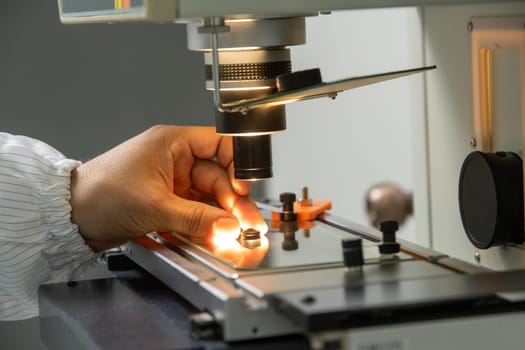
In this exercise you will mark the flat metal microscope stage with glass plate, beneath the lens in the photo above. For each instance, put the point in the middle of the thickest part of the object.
(273, 289)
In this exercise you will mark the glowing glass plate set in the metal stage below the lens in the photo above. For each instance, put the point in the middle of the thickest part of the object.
(307, 245)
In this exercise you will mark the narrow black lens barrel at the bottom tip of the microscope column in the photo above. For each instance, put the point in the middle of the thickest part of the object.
(252, 157)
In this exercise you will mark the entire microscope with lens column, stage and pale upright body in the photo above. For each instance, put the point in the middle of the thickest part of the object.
(329, 281)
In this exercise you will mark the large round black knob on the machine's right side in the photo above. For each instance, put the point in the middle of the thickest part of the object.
(491, 198)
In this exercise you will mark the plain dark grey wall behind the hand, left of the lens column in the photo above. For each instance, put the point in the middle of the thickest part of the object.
(85, 88)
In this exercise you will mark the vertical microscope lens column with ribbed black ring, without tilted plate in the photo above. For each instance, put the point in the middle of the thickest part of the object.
(249, 56)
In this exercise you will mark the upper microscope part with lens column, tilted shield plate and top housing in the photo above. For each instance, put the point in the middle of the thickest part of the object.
(247, 66)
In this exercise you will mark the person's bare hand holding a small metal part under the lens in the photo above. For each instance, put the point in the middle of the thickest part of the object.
(157, 181)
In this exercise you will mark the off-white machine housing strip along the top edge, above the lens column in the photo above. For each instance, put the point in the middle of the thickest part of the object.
(73, 11)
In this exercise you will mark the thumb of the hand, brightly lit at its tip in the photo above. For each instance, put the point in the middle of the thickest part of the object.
(198, 220)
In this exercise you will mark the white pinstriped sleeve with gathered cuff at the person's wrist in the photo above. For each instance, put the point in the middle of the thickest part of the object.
(38, 242)
